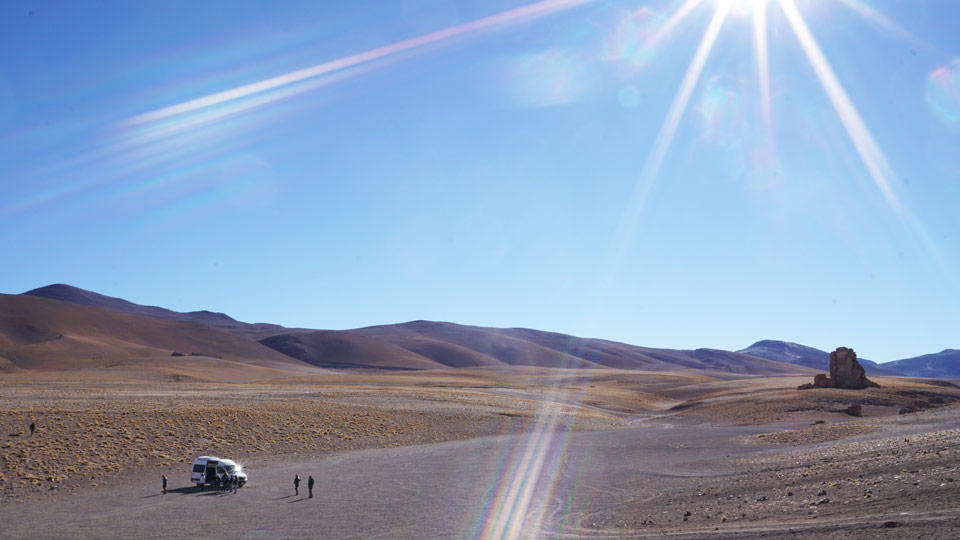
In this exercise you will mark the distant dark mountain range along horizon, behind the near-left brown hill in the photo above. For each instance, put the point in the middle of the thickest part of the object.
(431, 345)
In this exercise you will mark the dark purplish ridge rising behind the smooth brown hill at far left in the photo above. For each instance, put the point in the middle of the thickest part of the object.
(67, 293)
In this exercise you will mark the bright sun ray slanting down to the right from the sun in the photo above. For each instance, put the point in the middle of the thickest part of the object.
(873, 158)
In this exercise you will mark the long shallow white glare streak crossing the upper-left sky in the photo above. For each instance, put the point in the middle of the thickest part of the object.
(531, 11)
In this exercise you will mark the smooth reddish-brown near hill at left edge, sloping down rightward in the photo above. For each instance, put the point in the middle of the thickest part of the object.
(43, 334)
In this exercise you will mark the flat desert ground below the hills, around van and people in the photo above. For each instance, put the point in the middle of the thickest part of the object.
(480, 453)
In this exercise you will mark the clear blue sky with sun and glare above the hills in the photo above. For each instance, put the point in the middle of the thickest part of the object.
(495, 163)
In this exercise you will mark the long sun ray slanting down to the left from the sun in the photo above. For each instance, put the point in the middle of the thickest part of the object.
(661, 144)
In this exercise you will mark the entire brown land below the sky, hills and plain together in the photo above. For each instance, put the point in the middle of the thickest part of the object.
(436, 430)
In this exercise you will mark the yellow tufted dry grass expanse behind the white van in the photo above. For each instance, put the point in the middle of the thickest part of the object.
(88, 433)
